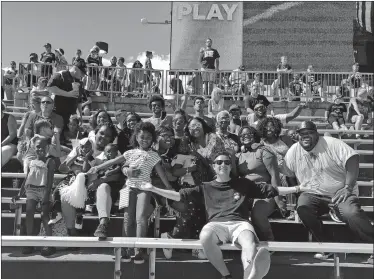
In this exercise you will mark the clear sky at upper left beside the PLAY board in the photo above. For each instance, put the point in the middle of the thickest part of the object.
(27, 26)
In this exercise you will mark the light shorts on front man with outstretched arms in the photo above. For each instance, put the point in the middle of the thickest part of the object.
(229, 231)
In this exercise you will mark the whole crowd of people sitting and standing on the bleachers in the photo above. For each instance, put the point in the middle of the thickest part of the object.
(215, 172)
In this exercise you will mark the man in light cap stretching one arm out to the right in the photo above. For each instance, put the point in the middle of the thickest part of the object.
(260, 113)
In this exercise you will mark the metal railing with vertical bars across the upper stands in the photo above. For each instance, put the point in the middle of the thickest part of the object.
(140, 82)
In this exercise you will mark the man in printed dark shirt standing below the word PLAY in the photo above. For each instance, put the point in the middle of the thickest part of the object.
(208, 57)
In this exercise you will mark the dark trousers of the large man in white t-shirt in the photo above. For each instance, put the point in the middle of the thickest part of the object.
(311, 206)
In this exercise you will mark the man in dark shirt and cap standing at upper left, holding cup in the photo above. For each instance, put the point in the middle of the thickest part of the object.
(67, 88)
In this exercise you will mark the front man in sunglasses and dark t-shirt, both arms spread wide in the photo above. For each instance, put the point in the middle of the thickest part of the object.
(227, 202)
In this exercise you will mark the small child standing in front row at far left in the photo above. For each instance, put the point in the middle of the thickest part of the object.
(37, 186)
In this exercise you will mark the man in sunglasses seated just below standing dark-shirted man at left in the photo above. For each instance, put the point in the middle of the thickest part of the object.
(46, 113)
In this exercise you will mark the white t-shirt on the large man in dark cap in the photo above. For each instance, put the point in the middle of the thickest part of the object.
(323, 167)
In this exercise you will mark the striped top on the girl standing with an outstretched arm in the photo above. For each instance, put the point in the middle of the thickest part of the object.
(143, 160)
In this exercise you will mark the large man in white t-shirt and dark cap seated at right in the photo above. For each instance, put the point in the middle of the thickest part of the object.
(331, 169)
